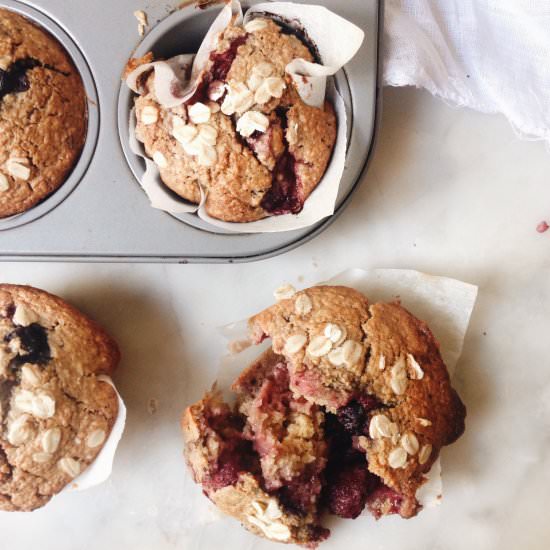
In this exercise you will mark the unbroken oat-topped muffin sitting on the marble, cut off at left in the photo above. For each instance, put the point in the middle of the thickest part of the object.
(55, 414)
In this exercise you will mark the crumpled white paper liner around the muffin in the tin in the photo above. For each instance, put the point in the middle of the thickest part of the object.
(325, 29)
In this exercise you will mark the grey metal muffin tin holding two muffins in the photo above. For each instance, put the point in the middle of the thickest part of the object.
(100, 213)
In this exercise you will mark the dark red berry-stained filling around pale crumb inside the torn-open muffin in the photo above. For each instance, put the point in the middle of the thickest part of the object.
(342, 484)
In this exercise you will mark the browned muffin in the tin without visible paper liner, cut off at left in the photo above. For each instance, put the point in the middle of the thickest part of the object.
(43, 114)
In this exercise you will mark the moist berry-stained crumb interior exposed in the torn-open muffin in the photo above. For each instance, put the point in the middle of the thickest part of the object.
(306, 458)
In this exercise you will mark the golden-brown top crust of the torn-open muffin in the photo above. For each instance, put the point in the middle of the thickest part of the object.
(387, 335)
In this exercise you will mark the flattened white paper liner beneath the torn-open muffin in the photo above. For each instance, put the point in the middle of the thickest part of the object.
(445, 304)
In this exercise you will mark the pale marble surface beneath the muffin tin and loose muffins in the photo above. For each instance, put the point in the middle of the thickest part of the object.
(451, 193)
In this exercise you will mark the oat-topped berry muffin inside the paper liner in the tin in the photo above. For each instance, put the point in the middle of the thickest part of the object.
(245, 137)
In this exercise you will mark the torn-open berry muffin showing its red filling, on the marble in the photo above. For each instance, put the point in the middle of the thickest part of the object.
(346, 411)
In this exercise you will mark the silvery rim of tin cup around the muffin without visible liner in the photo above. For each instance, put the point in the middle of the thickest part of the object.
(81, 165)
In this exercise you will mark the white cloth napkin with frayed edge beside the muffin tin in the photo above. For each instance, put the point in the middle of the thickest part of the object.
(490, 55)
